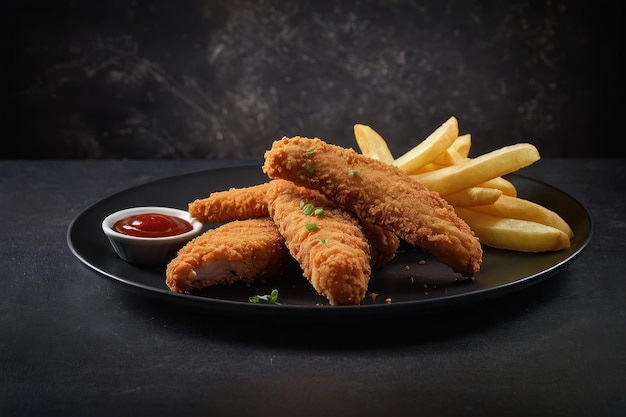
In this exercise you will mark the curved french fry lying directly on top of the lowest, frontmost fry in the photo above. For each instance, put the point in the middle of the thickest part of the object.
(518, 208)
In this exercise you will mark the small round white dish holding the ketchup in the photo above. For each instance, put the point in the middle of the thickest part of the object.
(149, 250)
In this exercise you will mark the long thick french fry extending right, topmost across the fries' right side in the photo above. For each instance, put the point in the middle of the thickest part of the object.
(480, 169)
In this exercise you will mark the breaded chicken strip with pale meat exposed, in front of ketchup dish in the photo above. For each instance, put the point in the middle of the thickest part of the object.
(242, 250)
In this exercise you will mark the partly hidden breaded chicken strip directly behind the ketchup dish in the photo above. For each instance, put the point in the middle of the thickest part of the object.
(232, 204)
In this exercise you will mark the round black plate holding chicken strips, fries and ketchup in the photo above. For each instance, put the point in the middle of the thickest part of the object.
(410, 285)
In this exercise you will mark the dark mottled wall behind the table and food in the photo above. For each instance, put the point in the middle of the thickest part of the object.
(222, 79)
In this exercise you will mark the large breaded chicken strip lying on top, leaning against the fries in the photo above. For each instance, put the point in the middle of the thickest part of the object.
(378, 193)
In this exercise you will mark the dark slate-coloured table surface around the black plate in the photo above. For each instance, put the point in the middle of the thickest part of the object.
(74, 344)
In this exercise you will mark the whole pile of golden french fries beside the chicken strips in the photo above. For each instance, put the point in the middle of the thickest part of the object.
(476, 188)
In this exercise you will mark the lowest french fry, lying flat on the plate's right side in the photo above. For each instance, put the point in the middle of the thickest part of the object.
(514, 234)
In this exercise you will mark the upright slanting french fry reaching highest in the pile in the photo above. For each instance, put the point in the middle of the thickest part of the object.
(427, 150)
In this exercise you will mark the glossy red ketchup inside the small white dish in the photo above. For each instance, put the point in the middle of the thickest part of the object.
(152, 225)
